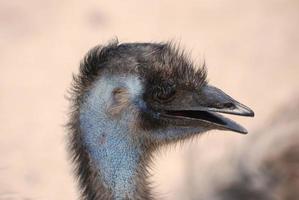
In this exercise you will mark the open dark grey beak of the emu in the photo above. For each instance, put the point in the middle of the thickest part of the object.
(203, 108)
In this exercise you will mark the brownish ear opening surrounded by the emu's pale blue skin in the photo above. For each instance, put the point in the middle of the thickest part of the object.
(119, 100)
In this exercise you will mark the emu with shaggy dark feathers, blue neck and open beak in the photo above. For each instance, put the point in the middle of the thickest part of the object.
(128, 100)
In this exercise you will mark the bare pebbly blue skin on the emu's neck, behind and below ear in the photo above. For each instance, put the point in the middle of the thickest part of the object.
(113, 154)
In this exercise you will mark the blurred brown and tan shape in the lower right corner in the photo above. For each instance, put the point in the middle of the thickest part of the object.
(266, 167)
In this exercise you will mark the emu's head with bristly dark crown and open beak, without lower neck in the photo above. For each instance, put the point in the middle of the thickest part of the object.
(152, 92)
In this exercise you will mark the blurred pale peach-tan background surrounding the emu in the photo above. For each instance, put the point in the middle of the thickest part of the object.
(251, 49)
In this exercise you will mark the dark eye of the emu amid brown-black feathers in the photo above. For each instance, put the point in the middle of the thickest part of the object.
(164, 93)
